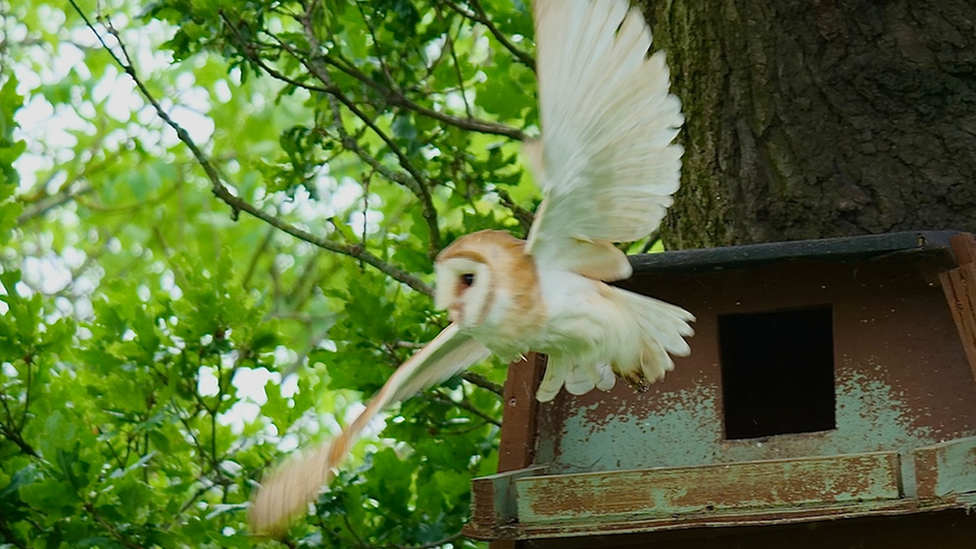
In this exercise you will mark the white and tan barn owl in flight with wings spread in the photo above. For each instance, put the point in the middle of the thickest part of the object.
(607, 168)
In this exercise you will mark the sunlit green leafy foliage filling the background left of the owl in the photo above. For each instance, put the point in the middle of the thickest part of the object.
(159, 349)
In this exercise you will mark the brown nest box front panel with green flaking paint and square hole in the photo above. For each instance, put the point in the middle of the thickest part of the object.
(789, 360)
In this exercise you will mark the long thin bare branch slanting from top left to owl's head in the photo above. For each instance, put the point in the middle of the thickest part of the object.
(237, 204)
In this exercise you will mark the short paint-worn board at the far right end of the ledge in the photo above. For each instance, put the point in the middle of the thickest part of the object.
(946, 470)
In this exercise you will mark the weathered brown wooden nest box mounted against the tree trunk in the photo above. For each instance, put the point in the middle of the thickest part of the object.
(829, 400)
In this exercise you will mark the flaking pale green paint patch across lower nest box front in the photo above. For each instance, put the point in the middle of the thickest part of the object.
(685, 428)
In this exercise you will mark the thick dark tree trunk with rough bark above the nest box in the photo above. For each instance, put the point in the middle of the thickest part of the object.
(820, 118)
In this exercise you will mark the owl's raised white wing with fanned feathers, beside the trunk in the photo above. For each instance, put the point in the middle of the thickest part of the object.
(605, 162)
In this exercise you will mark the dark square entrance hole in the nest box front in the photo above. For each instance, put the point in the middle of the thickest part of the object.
(777, 372)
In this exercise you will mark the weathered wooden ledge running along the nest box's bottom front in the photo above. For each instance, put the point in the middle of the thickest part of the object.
(530, 504)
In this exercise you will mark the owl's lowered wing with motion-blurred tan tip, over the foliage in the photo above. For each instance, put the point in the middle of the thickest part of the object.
(288, 491)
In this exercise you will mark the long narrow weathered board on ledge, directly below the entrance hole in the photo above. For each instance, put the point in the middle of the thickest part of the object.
(710, 488)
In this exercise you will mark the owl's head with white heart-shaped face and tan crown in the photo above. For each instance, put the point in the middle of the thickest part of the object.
(480, 275)
